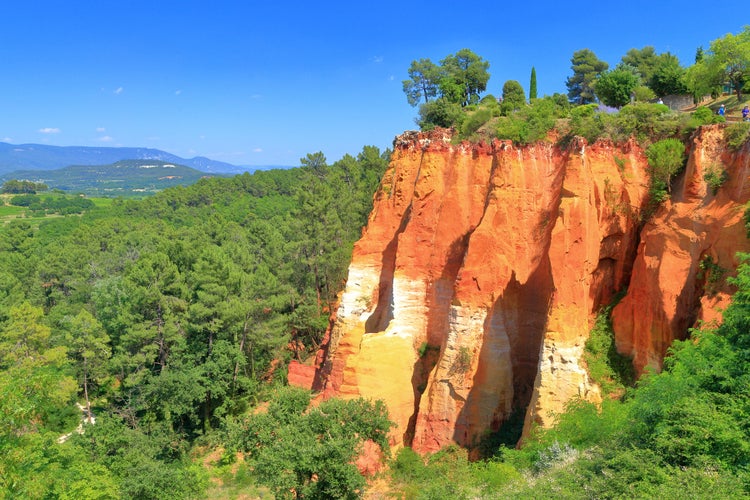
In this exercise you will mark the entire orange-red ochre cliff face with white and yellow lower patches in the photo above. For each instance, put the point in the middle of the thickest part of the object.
(473, 288)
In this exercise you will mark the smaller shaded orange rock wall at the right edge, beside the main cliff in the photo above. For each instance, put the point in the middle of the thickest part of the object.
(669, 291)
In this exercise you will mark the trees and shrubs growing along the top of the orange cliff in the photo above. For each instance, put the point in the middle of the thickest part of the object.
(639, 78)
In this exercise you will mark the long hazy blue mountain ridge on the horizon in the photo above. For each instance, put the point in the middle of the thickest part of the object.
(15, 157)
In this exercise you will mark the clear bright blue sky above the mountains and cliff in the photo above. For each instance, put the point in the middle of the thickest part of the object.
(265, 83)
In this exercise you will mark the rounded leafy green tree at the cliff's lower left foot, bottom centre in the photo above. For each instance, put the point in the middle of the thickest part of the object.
(299, 451)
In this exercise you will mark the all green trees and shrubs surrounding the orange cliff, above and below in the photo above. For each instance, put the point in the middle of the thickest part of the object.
(144, 343)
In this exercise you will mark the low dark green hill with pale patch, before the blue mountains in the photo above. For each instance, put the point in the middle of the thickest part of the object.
(122, 178)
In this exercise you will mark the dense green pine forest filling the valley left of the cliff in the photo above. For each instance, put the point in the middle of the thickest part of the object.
(165, 315)
